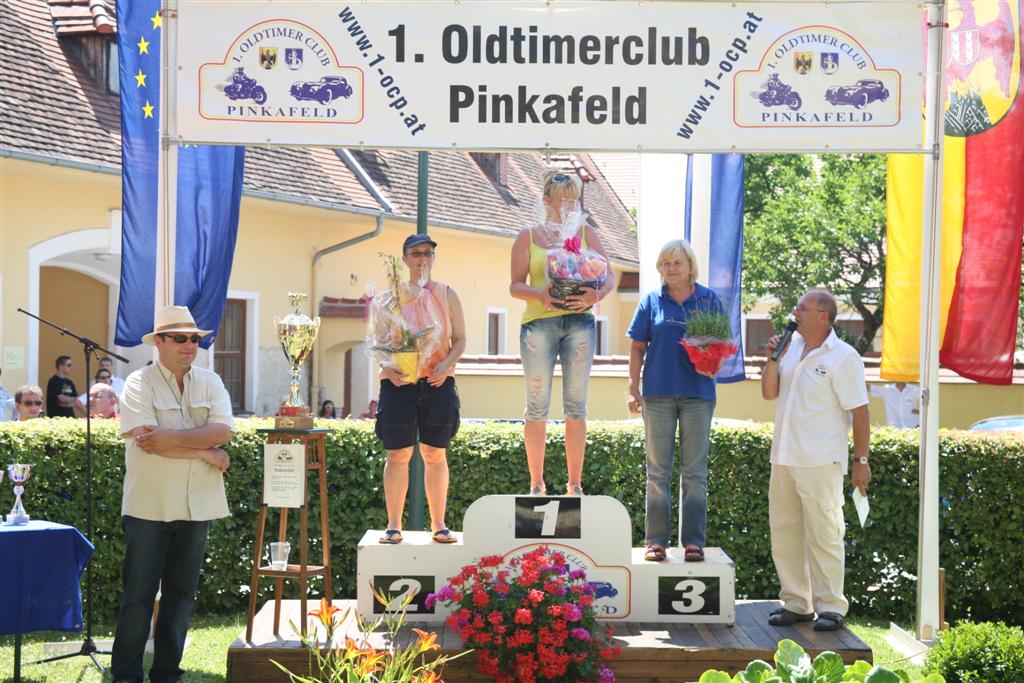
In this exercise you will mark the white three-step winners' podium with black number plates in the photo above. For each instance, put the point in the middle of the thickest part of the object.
(595, 535)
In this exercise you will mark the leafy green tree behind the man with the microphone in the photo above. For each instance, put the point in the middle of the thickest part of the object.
(817, 222)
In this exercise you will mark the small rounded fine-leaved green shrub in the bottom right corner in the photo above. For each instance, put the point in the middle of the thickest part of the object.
(983, 653)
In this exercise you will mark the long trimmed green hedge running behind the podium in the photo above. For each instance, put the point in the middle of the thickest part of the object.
(983, 513)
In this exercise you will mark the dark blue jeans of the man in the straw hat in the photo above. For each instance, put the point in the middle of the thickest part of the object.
(168, 557)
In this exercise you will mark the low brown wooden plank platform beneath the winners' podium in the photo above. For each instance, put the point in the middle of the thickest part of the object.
(653, 653)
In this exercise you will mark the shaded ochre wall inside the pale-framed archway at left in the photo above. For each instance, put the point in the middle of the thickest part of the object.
(89, 318)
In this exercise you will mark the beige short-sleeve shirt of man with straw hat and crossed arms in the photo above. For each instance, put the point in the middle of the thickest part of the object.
(161, 489)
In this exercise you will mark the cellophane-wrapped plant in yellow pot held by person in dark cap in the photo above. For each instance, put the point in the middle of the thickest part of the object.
(405, 325)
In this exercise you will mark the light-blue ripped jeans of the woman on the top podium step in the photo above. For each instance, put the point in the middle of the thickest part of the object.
(573, 338)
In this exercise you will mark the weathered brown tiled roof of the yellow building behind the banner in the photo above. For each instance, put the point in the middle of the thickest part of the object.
(52, 107)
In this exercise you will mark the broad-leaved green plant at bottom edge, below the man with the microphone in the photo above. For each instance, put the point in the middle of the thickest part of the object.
(793, 665)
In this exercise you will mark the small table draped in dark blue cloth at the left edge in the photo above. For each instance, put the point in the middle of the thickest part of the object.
(41, 566)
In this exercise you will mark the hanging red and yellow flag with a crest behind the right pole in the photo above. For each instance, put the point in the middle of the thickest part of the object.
(983, 206)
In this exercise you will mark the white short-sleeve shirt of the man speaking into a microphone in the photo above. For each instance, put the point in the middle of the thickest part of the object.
(817, 395)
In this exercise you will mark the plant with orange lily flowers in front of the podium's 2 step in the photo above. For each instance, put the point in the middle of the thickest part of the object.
(349, 660)
